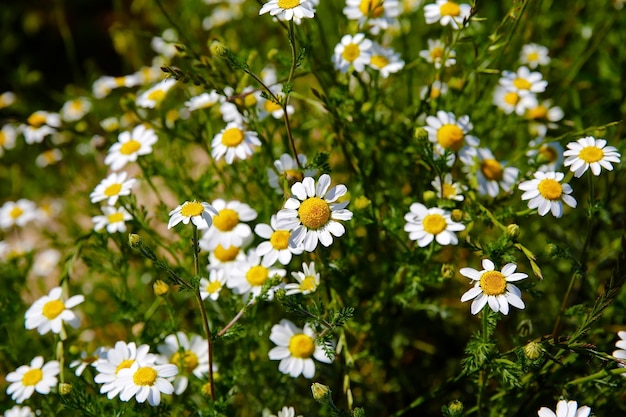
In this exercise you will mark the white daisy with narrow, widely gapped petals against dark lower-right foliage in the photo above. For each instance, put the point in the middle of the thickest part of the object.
(494, 287)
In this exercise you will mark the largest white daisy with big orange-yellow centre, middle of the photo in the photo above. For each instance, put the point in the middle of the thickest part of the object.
(313, 212)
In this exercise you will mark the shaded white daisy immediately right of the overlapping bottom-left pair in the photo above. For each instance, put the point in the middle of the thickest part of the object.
(191, 356)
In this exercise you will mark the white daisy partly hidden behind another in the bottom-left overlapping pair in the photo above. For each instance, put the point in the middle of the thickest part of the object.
(122, 356)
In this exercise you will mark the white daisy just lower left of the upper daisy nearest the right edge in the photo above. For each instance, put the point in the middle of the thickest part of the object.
(546, 193)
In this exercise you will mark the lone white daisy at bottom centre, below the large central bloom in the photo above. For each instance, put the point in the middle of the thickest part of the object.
(296, 349)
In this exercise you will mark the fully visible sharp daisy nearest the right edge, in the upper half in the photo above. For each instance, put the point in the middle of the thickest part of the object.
(590, 152)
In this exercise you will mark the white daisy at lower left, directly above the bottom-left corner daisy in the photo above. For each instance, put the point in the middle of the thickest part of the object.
(50, 311)
